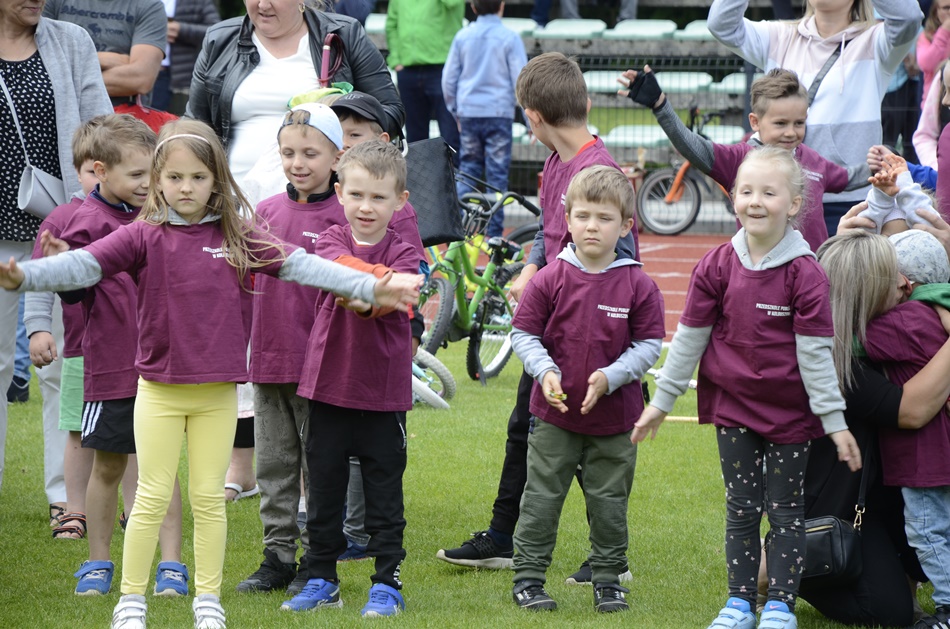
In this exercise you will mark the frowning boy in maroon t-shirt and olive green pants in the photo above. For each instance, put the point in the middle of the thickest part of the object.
(588, 327)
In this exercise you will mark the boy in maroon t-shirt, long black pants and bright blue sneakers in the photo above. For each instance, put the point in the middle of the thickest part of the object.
(359, 406)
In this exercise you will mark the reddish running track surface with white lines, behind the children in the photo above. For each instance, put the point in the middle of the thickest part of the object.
(669, 260)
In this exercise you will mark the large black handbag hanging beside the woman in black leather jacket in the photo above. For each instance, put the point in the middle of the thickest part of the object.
(430, 179)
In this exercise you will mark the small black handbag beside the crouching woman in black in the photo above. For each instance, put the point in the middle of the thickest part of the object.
(833, 545)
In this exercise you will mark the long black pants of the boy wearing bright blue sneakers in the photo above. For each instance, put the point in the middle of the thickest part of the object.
(378, 440)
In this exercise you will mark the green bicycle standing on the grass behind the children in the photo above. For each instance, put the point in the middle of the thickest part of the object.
(485, 316)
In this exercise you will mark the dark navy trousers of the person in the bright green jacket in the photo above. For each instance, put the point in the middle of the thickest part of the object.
(420, 89)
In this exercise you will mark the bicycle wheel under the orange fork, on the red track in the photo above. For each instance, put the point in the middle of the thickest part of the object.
(664, 218)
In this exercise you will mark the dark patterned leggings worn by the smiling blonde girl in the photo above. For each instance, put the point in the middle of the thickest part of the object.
(779, 487)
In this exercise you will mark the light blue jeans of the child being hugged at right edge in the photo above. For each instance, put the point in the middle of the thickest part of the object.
(927, 523)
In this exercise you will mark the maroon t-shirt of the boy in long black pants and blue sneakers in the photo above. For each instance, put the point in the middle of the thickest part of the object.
(353, 362)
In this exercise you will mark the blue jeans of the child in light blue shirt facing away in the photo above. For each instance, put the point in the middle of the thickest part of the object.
(486, 154)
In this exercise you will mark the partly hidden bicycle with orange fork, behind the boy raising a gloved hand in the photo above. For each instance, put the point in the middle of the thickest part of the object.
(668, 200)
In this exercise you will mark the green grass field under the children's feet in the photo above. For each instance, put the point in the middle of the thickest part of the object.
(676, 531)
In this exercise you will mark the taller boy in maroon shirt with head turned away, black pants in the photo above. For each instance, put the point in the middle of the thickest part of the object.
(552, 92)
